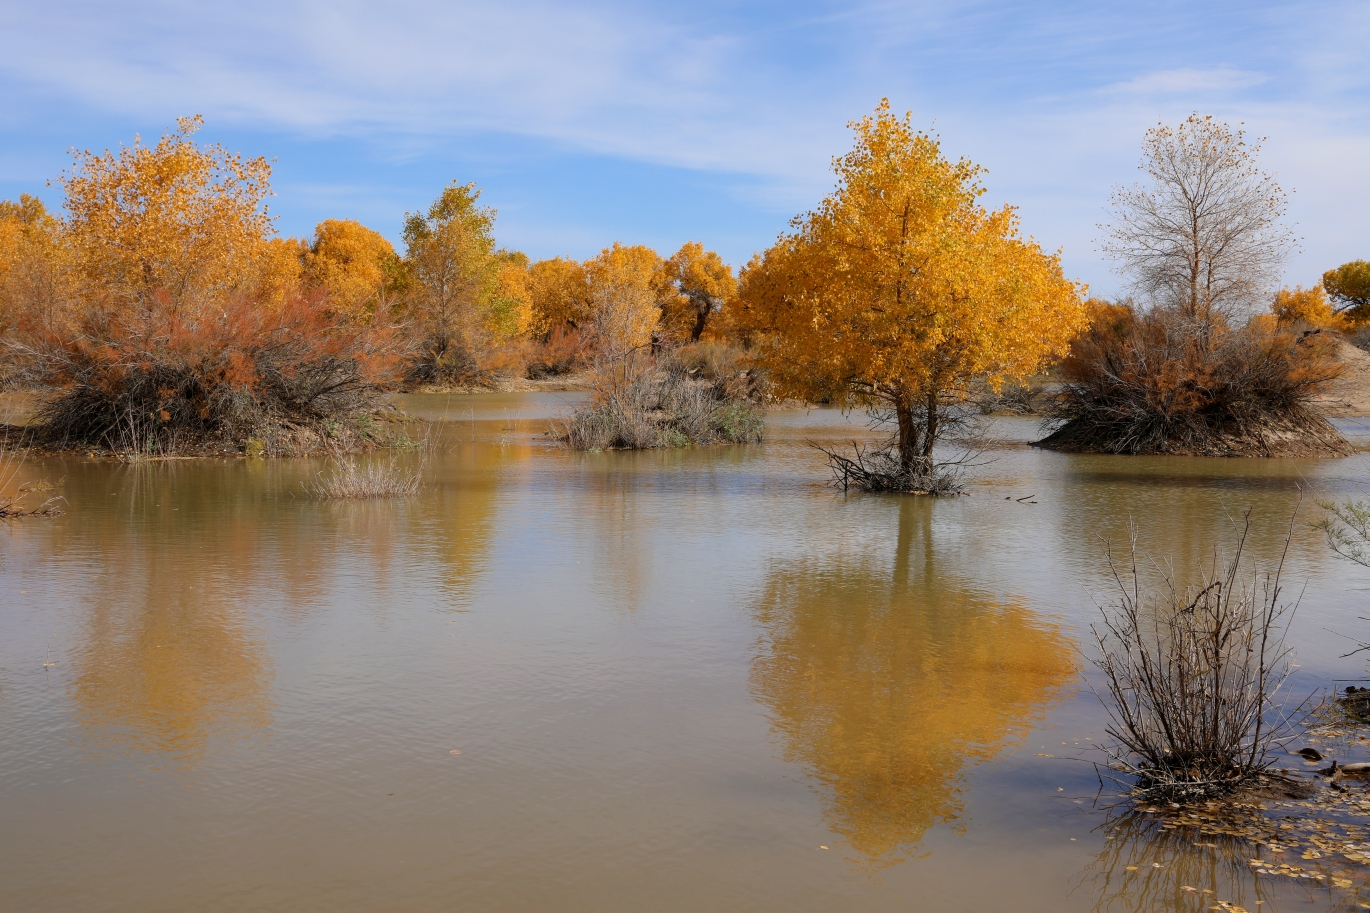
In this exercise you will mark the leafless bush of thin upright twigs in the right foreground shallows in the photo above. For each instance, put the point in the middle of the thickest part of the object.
(1191, 677)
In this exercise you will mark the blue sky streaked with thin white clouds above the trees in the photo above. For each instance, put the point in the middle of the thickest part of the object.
(662, 123)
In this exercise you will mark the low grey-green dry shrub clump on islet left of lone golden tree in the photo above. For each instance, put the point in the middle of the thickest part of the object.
(665, 406)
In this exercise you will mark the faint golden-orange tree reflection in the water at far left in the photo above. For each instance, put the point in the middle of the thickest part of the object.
(168, 660)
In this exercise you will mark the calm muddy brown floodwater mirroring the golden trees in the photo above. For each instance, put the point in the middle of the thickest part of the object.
(682, 681)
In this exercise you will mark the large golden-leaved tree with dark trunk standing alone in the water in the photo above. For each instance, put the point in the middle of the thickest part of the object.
(901, 290)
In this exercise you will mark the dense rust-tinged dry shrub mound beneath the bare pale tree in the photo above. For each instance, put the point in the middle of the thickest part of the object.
(1154, 383)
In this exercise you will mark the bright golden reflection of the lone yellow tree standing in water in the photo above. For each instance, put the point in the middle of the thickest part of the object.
(887, 681)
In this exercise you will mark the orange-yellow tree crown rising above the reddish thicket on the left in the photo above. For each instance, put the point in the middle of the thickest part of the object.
(177, 220)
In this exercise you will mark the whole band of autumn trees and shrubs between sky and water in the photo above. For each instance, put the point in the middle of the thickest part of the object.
(161, 309)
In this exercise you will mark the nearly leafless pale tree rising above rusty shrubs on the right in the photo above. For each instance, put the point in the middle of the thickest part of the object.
(1206, 235)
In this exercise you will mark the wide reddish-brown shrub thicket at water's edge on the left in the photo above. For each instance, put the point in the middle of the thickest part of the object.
(168, 379)
